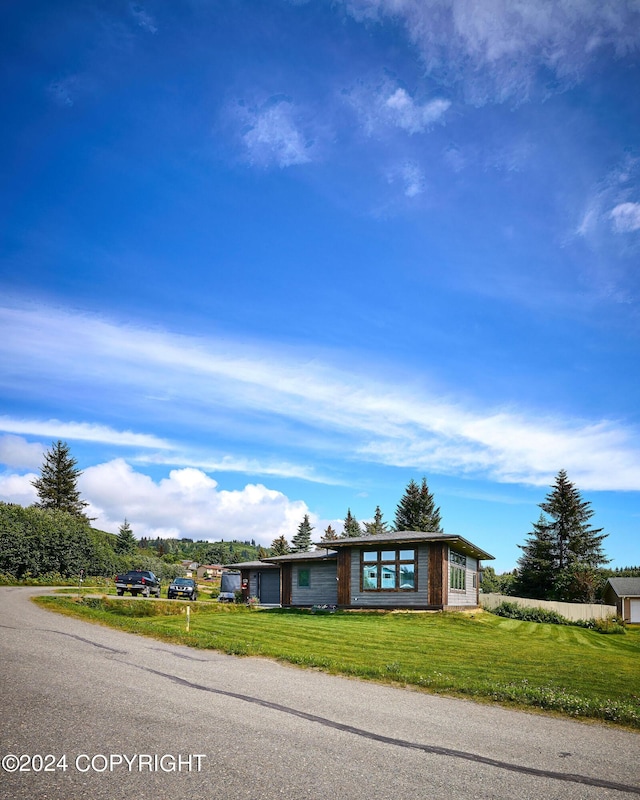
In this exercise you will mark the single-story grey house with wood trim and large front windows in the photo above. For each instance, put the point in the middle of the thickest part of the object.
(404, 569)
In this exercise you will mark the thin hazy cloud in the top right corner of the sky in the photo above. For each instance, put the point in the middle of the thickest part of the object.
(496, 50)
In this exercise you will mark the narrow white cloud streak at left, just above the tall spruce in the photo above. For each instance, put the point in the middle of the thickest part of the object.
(80, 431)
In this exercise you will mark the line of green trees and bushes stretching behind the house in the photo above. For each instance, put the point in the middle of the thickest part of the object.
(563, 556)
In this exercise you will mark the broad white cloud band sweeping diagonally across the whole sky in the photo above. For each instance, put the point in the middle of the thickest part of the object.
(325, 410)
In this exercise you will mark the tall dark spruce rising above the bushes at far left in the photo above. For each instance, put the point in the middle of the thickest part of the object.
(57, 484)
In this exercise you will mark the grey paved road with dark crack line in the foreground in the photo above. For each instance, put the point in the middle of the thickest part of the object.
(265, 730)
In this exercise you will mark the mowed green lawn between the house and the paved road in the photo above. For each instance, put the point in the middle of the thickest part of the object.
(564, 669)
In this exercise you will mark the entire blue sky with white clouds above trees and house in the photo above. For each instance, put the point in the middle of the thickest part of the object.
(266, 259)
